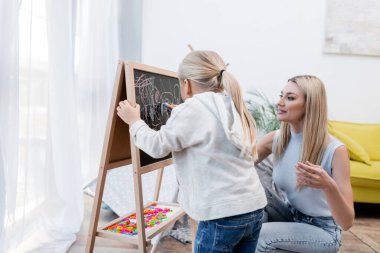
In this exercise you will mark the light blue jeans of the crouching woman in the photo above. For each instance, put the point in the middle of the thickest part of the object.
(289, 230)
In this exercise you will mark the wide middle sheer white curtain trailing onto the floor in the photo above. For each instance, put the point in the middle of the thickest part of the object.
(49, 185)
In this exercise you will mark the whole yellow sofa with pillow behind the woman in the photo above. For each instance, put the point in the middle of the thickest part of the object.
(363, 144)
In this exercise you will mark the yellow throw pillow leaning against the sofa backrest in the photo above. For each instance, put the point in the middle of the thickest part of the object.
(357, 152)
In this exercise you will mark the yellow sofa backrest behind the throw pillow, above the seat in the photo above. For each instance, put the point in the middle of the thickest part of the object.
(367, 135)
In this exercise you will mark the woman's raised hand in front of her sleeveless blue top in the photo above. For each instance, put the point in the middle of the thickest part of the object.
(312, 175)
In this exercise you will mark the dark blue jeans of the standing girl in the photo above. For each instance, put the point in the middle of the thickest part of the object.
(231, 234)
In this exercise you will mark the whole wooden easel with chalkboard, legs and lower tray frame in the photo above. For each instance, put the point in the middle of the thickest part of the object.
(149, 87)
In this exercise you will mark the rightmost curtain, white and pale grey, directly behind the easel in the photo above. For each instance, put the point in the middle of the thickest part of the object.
(107, 31)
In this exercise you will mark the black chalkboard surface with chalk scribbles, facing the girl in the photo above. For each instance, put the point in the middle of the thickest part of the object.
(152, 87)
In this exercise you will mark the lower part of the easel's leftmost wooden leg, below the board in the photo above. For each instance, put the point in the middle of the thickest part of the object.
(96, 210)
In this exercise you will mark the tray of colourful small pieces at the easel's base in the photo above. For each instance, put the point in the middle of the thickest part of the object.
(157, 216)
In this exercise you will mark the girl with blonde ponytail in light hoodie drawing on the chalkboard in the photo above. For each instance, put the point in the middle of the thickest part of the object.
(212, 138)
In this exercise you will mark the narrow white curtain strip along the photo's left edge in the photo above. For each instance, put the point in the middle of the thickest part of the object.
(8, 115)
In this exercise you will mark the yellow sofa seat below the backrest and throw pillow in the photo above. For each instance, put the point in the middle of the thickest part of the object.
(365, 175)
